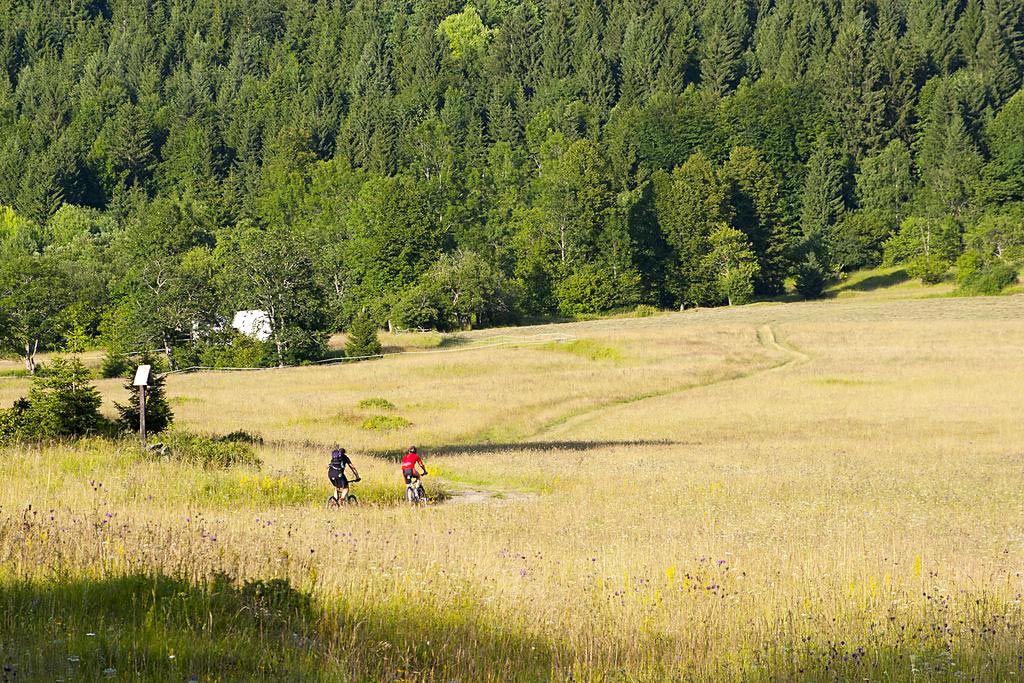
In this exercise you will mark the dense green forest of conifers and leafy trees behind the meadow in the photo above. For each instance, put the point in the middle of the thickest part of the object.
(165, 163)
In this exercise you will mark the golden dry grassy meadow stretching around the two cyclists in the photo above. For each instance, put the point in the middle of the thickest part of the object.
(823, 491)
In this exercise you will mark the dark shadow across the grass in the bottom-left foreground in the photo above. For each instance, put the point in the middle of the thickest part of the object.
(154, 627)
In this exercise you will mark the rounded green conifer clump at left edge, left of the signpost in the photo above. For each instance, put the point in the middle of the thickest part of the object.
(62, 404)
